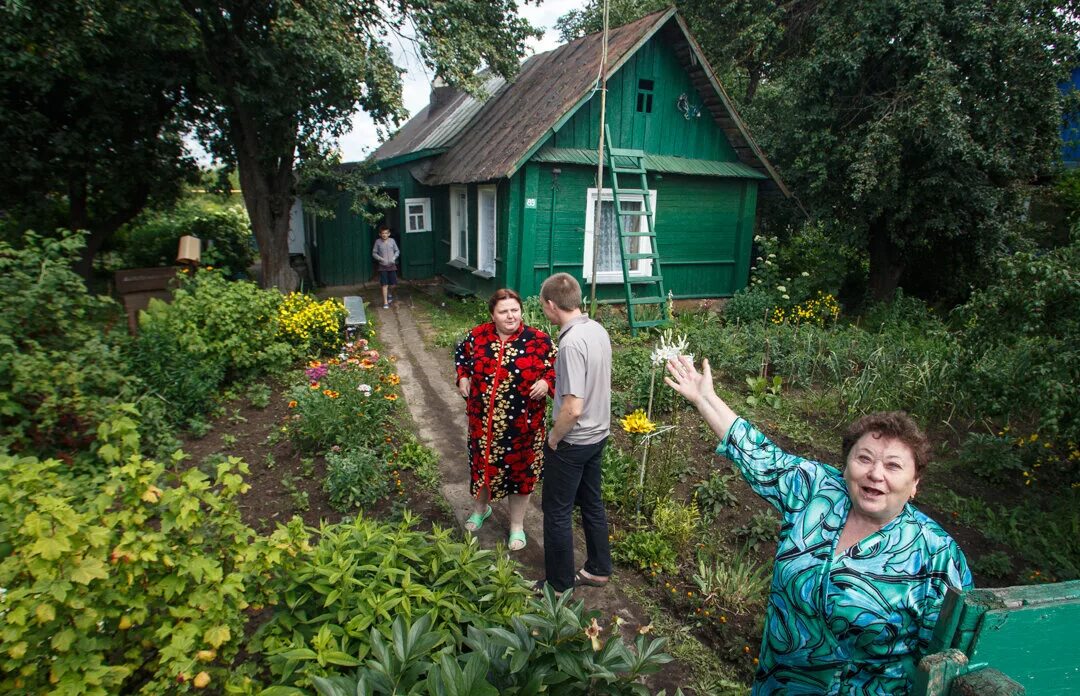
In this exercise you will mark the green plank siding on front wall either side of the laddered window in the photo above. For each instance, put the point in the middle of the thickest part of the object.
(704, 233)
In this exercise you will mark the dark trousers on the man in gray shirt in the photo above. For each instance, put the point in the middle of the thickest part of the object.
(572, 476)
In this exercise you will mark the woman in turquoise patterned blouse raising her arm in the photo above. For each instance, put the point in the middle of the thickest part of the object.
(860, 574)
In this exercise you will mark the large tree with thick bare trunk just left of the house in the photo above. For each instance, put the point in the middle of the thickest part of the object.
(279, 83)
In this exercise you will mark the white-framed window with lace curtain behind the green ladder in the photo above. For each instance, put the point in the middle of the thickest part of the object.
(610, 261)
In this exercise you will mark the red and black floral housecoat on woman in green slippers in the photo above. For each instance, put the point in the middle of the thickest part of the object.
(506, 427)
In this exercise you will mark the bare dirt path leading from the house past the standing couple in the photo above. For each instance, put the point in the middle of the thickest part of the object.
(439, 413)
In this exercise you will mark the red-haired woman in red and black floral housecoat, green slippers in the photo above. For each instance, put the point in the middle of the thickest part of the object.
(506, 370)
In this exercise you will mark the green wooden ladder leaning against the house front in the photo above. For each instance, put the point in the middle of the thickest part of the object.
(641, 291)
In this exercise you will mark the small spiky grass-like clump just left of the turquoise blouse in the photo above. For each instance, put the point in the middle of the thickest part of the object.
(735, 585)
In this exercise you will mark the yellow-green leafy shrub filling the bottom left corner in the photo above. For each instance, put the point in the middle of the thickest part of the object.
(128, 584)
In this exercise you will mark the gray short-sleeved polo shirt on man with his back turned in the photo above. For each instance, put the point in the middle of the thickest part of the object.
(584, 370)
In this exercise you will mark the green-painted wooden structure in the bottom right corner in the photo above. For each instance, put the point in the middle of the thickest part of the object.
(1006, 641)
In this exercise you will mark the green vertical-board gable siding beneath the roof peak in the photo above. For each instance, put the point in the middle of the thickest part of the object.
(666, 130)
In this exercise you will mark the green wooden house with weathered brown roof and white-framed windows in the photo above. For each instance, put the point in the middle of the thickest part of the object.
(501, 192)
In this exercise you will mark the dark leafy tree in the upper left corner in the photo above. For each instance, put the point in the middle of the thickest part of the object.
(89, 95)
